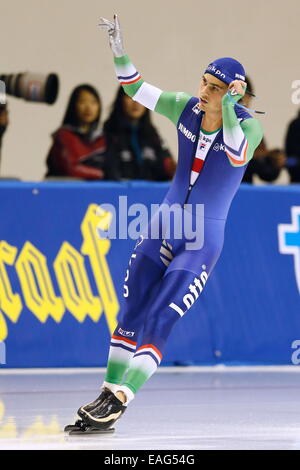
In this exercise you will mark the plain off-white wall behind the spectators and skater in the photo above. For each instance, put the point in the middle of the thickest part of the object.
(170, 42)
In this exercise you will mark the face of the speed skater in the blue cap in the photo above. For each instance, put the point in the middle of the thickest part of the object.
(211, 92)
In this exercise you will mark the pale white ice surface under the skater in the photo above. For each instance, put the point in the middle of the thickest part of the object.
(182, 409)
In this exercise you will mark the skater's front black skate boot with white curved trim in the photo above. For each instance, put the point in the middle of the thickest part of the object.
(104, 415)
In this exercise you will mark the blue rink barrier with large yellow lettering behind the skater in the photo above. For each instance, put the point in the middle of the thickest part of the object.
(61, 286)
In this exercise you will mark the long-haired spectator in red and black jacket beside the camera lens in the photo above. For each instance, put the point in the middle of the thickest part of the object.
(79, 147)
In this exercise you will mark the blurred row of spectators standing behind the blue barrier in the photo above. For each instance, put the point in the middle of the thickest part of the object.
(128, 146)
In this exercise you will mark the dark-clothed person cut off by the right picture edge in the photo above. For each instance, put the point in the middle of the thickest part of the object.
(292, 148)
